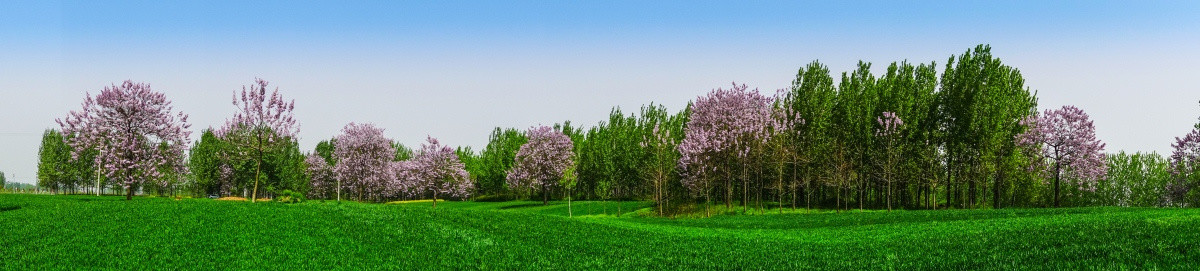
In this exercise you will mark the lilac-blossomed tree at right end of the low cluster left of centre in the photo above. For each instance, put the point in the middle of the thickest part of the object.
(440, 172)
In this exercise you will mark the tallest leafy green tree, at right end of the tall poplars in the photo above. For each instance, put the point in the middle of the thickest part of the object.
(981, 105)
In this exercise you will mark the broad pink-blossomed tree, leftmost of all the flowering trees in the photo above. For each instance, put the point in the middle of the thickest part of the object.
(135, 131)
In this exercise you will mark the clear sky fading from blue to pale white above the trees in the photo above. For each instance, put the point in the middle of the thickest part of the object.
(455, 70)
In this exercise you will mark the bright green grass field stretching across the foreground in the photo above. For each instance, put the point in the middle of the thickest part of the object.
(57, 232)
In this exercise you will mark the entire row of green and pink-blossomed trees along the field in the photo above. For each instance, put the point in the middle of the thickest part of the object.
(911, 138)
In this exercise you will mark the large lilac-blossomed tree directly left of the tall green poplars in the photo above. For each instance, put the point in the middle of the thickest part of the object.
(723, 129)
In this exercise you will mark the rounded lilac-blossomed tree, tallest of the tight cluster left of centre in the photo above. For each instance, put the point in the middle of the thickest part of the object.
(364, 161)
